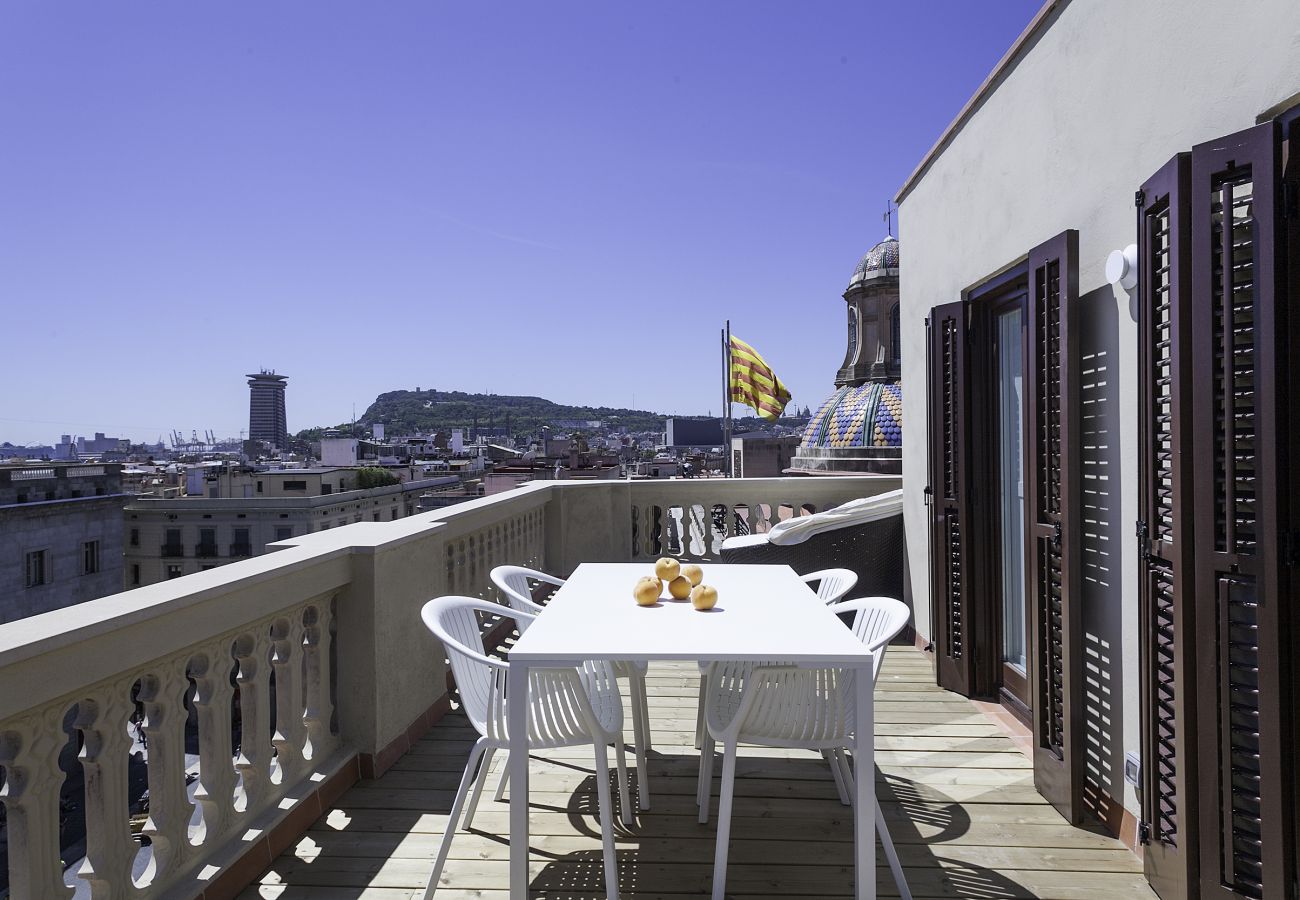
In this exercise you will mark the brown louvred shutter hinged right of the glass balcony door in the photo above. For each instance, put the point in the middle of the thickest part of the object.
(1052, 534)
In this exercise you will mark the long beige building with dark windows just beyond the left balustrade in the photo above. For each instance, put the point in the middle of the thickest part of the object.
(242, 512)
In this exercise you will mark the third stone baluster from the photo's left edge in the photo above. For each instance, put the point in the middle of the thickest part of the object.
(168, 828)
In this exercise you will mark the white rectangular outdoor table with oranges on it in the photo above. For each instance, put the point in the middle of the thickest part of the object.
(762, 613)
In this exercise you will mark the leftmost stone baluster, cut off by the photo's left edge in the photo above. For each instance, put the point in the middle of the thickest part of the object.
(29, 754)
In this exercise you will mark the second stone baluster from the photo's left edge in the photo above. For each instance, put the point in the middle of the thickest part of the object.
(105, 758)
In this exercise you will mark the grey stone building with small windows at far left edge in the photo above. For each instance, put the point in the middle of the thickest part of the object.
(60, 536)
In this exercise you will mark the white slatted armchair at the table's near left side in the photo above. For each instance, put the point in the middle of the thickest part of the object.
(566, 708)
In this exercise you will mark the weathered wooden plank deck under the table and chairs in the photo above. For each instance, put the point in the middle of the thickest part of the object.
(959, 797)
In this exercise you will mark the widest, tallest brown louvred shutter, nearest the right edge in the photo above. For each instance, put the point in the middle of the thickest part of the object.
(1245, 683)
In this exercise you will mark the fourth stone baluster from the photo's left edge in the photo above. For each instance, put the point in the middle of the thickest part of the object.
(213, 700)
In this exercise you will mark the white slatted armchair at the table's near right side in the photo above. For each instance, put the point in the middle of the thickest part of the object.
(781, 706)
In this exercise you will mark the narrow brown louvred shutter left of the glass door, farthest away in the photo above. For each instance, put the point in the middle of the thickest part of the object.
(950, 496)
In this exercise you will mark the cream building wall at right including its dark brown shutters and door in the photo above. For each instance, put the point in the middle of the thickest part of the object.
(1099, 330)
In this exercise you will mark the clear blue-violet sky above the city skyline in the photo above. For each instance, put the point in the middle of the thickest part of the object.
(564, 200)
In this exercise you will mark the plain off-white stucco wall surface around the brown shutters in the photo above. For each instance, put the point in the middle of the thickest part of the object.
(1098, 103)
